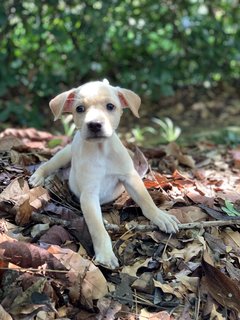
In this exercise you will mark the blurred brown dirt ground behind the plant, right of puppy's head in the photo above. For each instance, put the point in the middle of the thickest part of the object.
(198, 112)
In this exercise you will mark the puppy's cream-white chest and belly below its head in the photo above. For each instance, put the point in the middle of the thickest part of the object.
(92, 171)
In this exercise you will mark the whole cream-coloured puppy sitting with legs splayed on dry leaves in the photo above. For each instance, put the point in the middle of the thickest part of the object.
(101, 166)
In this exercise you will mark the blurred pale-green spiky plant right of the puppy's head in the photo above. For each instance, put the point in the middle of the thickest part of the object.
(170, 132)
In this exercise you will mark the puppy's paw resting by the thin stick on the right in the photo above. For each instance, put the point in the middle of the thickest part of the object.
(166, 222)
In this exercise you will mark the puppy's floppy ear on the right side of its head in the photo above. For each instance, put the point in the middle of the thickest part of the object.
(130, 100)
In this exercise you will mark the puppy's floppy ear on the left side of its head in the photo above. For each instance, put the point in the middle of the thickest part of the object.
(62, 103)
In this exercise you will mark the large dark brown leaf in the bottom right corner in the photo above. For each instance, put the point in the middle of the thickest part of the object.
(224, 290)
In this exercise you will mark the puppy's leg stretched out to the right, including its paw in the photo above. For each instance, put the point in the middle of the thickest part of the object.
(136, 189)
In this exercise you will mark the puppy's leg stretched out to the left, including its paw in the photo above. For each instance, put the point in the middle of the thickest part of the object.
(60, 159)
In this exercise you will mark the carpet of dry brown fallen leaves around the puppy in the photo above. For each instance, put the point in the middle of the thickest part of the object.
(47, 267)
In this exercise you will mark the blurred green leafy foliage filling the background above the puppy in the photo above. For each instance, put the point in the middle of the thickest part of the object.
(149, 46)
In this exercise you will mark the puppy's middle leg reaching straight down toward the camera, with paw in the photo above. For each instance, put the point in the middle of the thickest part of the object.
(101, 241)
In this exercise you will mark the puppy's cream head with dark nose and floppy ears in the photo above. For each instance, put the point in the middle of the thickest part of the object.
(96, 107)
